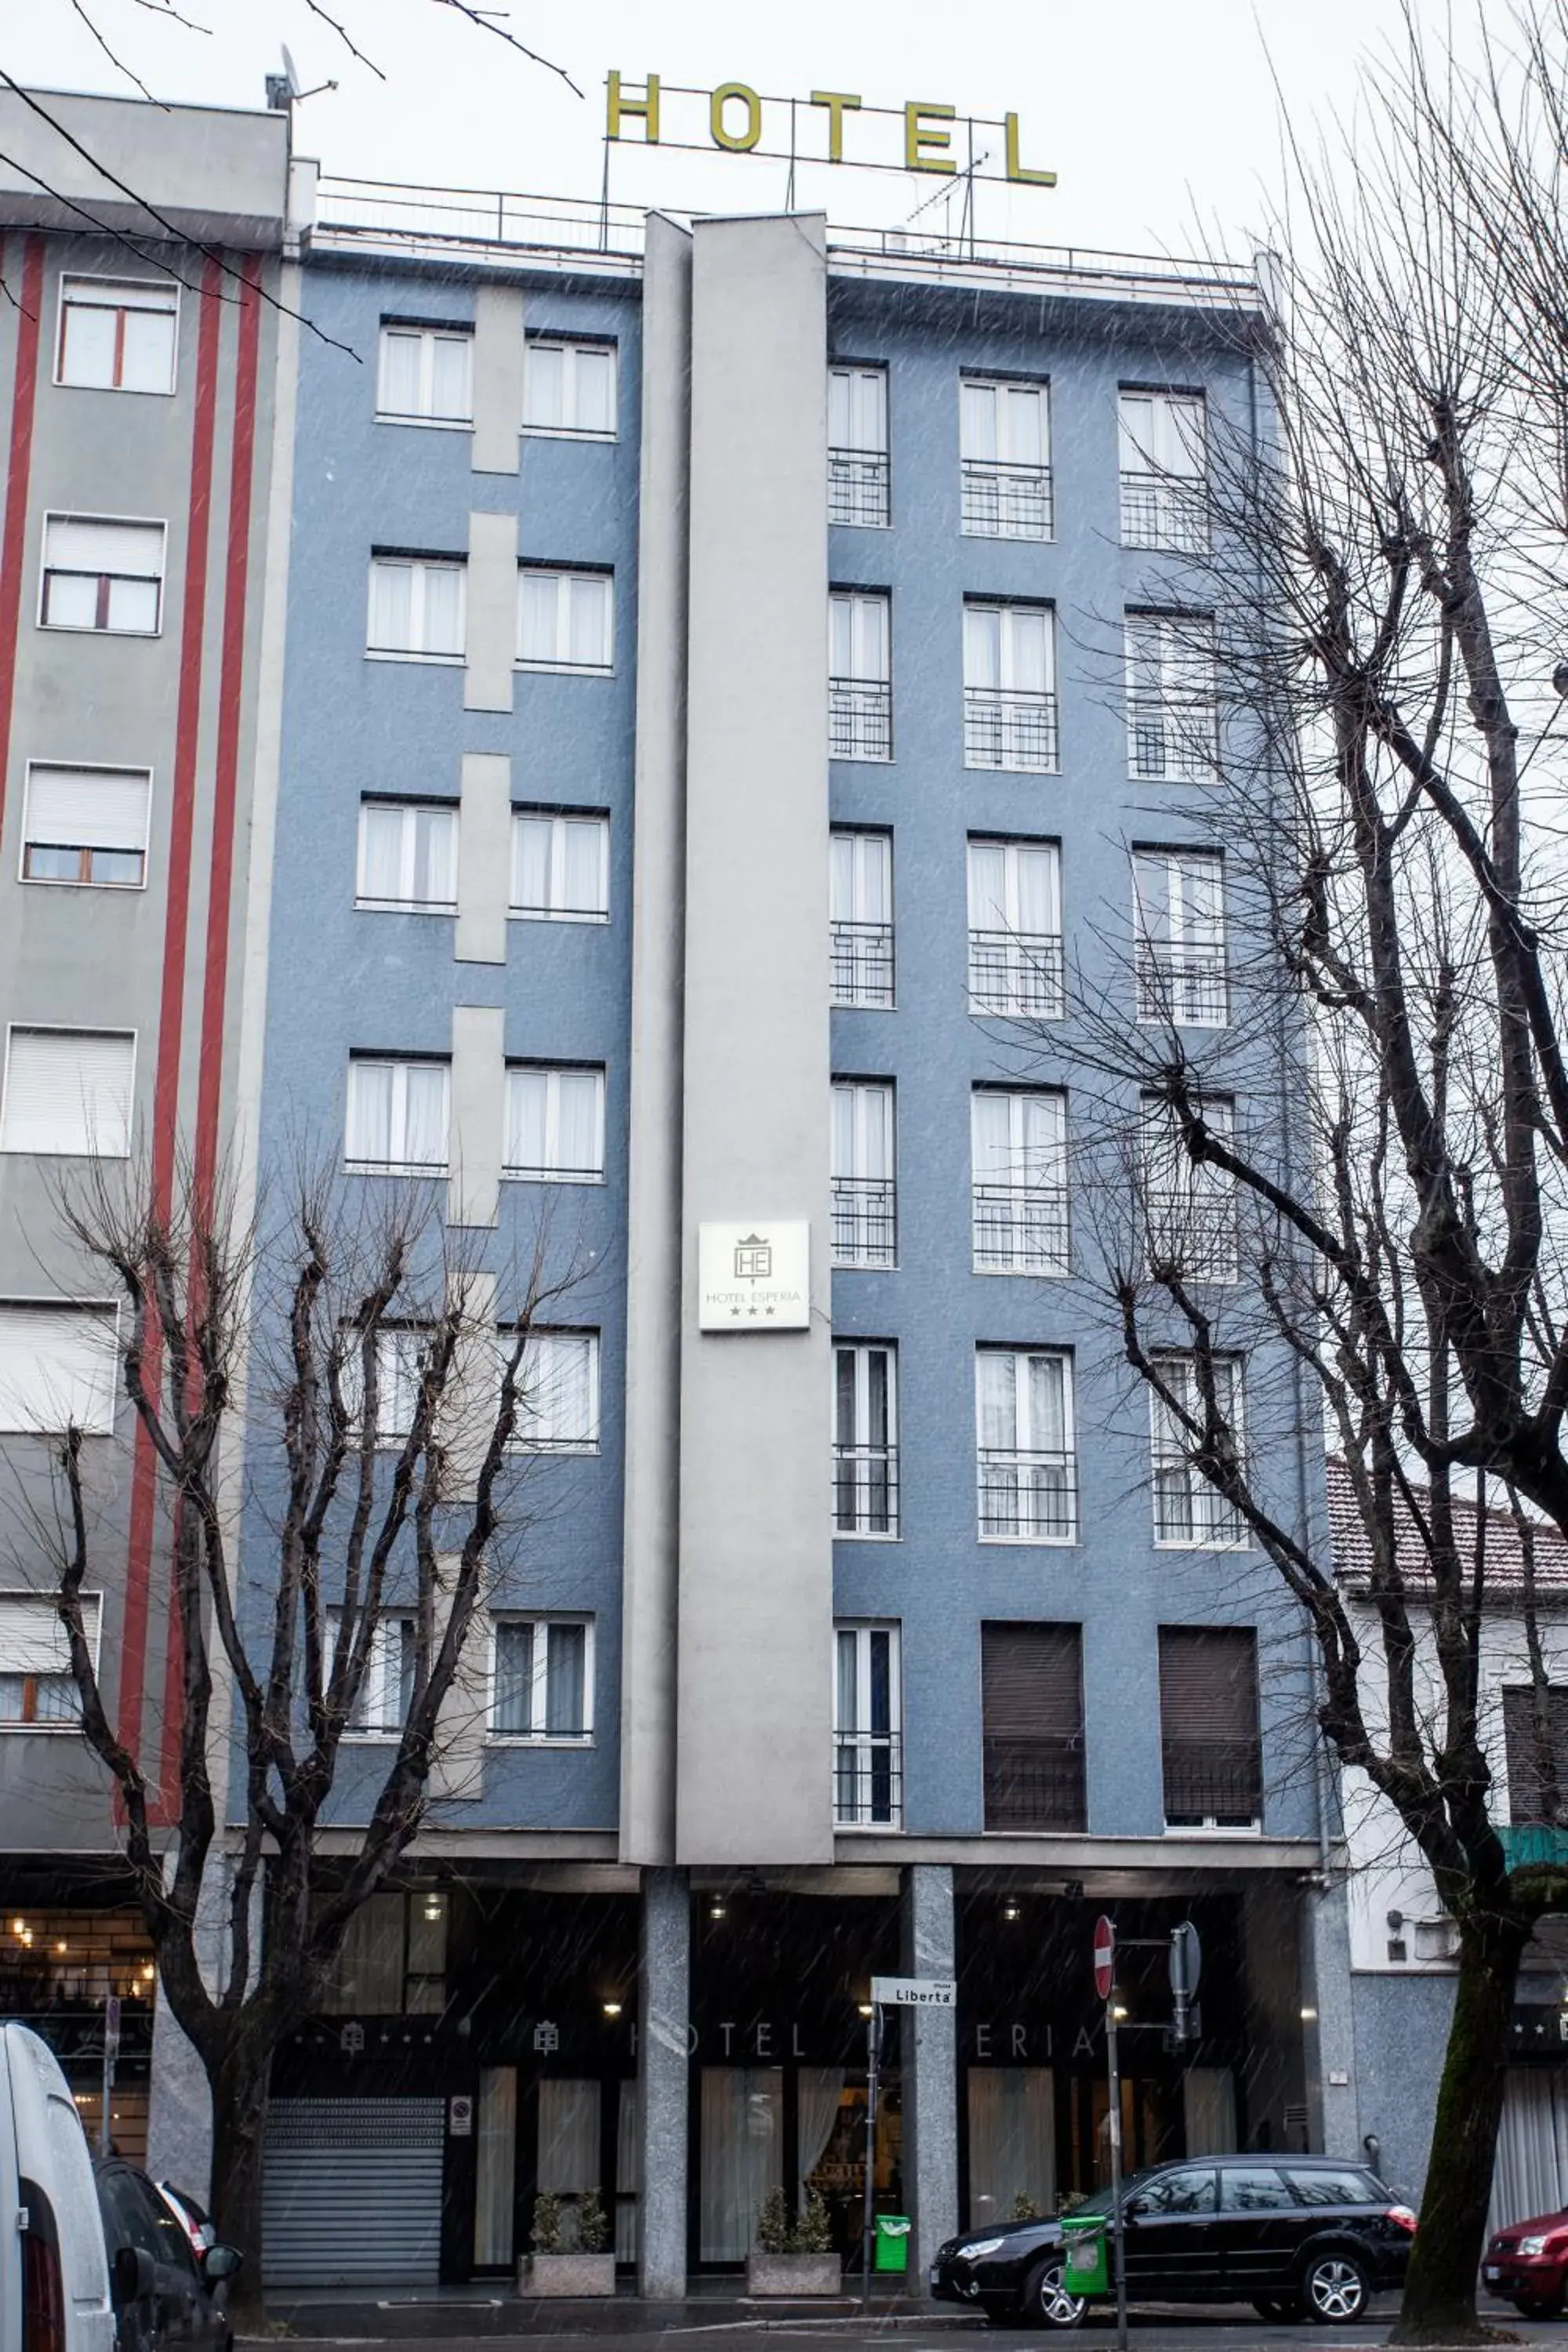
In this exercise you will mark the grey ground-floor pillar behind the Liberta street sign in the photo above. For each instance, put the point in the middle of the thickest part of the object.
(930, 2043)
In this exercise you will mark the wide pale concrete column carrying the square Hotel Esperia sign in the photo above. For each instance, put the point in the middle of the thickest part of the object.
(756, 1544)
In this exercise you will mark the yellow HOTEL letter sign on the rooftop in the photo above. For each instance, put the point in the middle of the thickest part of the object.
(829, 126)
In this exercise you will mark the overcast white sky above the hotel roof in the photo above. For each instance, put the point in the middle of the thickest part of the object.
(1160, 121)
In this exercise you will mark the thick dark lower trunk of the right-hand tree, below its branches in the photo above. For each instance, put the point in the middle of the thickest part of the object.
(1440, 2299)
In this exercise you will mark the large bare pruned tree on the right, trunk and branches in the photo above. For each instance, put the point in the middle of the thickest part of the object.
(1336, 1161)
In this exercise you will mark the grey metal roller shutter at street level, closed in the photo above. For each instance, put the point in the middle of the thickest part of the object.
(354, 2193)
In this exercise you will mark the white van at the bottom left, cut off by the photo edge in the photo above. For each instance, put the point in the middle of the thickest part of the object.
(58, 2297)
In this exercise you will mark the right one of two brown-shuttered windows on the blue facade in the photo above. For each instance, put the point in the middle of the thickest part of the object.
(1209, 1728)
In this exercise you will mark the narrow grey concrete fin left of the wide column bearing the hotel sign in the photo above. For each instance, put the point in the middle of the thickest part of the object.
(655, 1208)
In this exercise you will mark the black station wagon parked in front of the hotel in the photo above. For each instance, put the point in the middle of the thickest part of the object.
(1289, 2236)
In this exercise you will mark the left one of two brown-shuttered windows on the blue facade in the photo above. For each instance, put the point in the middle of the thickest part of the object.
(1033, 1683)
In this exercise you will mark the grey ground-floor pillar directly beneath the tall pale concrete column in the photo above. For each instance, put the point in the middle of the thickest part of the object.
(664, 2071)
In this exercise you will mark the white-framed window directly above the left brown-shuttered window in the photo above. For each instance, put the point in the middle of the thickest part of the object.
(1026, 1464)
